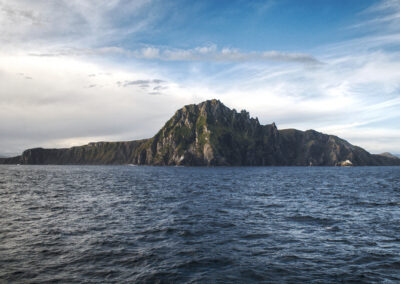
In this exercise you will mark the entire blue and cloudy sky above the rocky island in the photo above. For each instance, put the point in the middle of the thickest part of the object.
(79, 71)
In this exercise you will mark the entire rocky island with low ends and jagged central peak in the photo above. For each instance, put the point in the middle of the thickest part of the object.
(211, 134)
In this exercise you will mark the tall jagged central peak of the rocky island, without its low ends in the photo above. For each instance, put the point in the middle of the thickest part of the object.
(212, 134)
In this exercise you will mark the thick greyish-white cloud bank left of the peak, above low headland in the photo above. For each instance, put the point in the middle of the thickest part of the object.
(64, 107)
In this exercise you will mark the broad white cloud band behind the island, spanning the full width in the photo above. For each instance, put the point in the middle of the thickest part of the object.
(346, 94)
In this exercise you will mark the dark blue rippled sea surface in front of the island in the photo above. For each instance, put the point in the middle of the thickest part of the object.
(127, 224)
